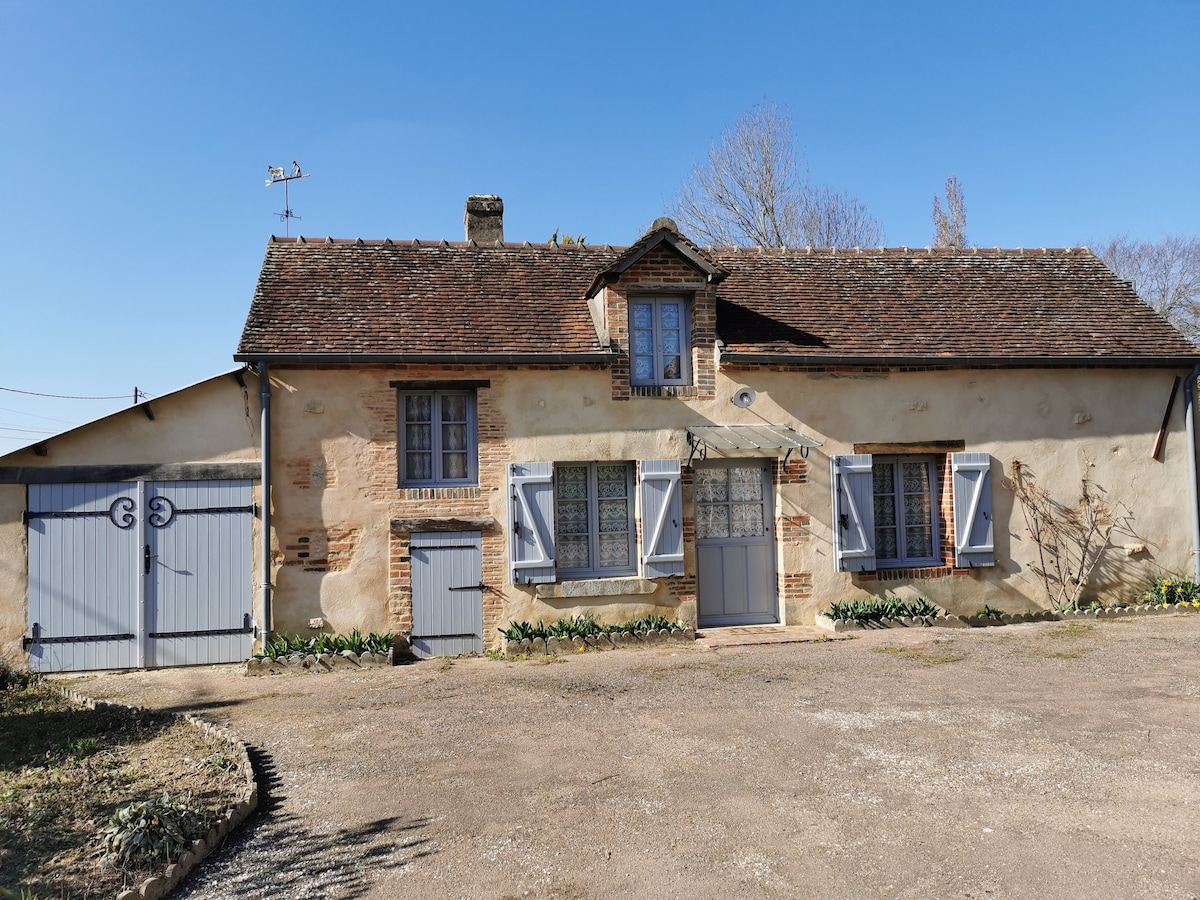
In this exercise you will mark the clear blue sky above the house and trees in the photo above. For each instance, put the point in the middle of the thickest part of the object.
(135, 140)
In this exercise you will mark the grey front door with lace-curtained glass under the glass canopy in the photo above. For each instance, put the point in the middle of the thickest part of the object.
(735, 544)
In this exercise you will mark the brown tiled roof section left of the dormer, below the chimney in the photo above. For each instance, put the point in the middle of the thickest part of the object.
(380, 298)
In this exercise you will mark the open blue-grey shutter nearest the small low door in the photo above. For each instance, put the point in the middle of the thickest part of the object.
(532, 523)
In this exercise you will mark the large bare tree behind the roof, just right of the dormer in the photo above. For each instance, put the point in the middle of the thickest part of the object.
(754, 190)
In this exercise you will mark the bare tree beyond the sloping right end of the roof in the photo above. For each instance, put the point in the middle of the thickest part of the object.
(1166, 275)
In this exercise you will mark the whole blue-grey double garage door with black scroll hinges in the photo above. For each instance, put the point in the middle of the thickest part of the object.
(139, 574)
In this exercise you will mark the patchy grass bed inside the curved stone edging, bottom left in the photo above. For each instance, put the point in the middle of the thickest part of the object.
(65, 771)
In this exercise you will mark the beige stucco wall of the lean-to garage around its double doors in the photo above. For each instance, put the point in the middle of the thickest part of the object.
(217, 421)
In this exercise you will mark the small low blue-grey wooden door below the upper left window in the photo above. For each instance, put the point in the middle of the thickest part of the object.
(448, 593)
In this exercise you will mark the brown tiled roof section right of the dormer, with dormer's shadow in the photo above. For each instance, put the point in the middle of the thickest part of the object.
(937, 304)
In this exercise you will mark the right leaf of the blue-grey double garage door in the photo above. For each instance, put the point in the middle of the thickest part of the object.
(199, 575)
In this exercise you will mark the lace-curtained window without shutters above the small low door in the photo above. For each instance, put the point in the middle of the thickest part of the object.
(439, 443)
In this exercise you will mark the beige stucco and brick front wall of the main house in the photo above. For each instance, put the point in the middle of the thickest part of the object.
(337, 477)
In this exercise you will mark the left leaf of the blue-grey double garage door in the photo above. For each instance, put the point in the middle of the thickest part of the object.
(83, 578)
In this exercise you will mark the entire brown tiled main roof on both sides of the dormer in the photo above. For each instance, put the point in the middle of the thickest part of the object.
(349, 299)
